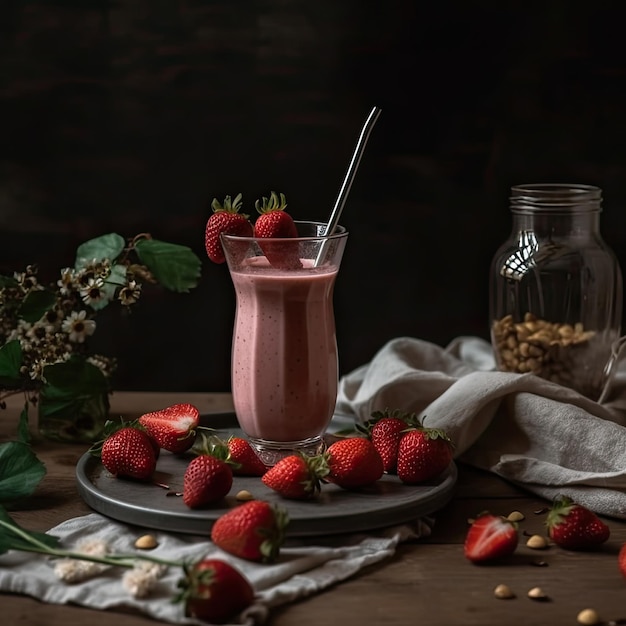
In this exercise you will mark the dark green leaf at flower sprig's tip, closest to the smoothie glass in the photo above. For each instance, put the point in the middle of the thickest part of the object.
(175, 267)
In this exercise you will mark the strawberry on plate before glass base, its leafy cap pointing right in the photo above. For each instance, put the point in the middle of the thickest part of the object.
(296, 476)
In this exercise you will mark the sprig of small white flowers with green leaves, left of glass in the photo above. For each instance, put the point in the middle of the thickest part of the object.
(45, 330)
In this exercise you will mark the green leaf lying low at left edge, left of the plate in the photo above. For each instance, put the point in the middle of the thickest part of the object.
(20, 471)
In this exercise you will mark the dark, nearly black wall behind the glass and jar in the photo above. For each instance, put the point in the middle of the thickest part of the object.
(130, 115)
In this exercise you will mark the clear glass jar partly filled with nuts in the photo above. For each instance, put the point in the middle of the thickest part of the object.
(555, 294)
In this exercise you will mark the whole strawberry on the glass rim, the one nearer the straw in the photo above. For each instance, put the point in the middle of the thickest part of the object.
(275, 222)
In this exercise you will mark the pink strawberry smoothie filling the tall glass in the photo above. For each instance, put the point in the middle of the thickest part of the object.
(284, 356)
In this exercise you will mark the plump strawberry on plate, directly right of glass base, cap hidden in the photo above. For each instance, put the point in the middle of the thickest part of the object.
(353, 462)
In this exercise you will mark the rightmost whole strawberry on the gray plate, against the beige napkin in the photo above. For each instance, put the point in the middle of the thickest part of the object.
(423, 453)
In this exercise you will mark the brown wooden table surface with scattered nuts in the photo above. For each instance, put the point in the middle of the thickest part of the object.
(426, 582)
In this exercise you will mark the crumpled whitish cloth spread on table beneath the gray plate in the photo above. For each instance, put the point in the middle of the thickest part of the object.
(304, 567)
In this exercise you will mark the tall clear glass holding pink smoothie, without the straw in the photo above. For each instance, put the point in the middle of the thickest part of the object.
(284, 370)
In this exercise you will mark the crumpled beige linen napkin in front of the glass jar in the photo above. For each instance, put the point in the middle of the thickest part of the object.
(534, 433)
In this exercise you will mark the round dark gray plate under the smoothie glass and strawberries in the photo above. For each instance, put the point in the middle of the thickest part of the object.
(334, 510)
